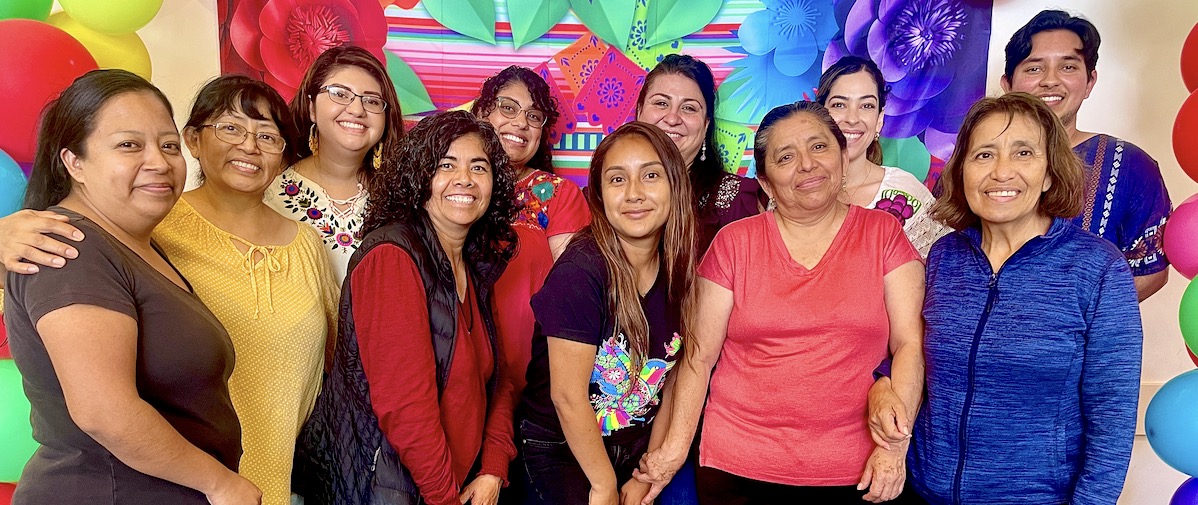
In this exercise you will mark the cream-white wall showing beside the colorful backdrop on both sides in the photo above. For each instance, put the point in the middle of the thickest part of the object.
(1139, 94)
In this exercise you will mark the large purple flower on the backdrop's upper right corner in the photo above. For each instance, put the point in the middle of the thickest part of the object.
(933, 53)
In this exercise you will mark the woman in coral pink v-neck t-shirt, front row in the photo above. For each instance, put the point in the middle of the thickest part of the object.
(798, 305)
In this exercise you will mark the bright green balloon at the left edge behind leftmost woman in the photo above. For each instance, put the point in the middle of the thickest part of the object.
(15, 430)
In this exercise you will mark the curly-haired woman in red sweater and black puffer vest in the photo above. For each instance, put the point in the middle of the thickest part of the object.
(413, 406)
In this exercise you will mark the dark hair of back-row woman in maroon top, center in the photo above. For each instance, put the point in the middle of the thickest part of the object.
(705, 174)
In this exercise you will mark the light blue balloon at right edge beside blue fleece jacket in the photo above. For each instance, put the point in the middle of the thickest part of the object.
(1172, 423)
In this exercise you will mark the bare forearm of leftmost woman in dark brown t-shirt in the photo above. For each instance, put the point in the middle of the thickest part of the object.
(141, 439)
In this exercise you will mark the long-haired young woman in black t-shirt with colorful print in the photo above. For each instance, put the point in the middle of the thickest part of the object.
(610, 321)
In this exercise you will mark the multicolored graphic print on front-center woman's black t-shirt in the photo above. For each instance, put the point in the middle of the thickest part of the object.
(625, 398)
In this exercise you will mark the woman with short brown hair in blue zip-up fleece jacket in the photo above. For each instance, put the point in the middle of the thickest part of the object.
(1034, 338)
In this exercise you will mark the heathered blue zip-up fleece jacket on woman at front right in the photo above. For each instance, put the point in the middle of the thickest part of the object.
(1033, 373)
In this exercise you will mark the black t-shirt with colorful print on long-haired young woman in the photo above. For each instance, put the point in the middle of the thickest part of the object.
(573, 306)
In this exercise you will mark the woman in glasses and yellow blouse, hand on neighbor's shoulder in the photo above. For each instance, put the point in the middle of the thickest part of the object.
(264, 276)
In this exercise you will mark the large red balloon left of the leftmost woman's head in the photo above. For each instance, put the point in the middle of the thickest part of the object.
(38, 62)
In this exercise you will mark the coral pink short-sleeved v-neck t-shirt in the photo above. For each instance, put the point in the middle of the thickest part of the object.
(789, 396)
